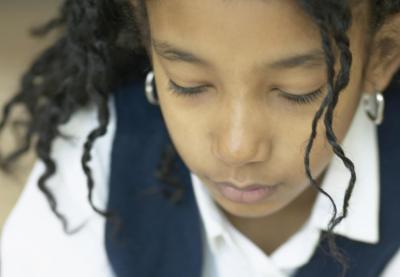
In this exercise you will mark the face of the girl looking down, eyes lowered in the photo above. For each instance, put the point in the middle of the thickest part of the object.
(238, 85)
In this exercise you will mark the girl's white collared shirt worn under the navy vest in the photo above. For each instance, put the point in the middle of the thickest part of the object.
(34, 244)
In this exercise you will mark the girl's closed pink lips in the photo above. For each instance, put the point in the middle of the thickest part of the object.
(249, 194)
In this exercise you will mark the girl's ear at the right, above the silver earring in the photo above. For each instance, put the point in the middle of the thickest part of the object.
(384, 56)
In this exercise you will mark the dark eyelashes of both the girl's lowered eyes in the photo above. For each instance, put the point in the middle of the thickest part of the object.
(307, 98)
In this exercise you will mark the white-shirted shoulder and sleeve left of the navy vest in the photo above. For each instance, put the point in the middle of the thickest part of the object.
(32, 230)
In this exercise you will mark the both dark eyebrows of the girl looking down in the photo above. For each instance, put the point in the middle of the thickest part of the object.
(312, 58)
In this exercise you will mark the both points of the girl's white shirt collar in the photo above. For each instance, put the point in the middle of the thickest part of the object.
(362, 221)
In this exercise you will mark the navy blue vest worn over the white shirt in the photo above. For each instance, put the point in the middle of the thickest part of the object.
(158, 238)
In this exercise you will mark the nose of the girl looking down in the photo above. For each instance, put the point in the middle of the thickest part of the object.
(240, 139)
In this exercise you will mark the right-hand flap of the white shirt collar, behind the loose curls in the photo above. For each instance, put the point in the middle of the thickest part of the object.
(362, 221)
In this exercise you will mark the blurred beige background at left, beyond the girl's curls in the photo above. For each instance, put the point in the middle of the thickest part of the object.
(17, 50)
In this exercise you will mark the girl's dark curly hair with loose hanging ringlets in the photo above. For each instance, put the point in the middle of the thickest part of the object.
(102, 45)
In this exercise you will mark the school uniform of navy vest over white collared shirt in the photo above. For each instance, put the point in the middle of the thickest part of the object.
(193, 238)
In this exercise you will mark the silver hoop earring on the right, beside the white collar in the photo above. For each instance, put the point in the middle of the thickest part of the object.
(374, 105)
